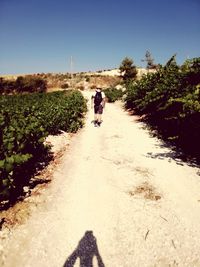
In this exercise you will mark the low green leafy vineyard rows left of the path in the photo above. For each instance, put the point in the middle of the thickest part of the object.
(25, 121)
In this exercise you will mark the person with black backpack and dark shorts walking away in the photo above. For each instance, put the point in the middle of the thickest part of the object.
(98, 100)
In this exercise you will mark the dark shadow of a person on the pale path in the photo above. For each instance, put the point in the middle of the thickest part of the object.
(86, 250)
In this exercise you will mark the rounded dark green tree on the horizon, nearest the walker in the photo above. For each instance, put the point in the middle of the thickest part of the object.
(128, 70)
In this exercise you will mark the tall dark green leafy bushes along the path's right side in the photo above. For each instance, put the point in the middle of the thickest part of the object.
(170, 99)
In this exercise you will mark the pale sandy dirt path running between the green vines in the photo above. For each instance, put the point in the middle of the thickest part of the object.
(142, 206)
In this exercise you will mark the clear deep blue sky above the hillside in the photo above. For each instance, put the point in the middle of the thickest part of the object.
(42, 35)
